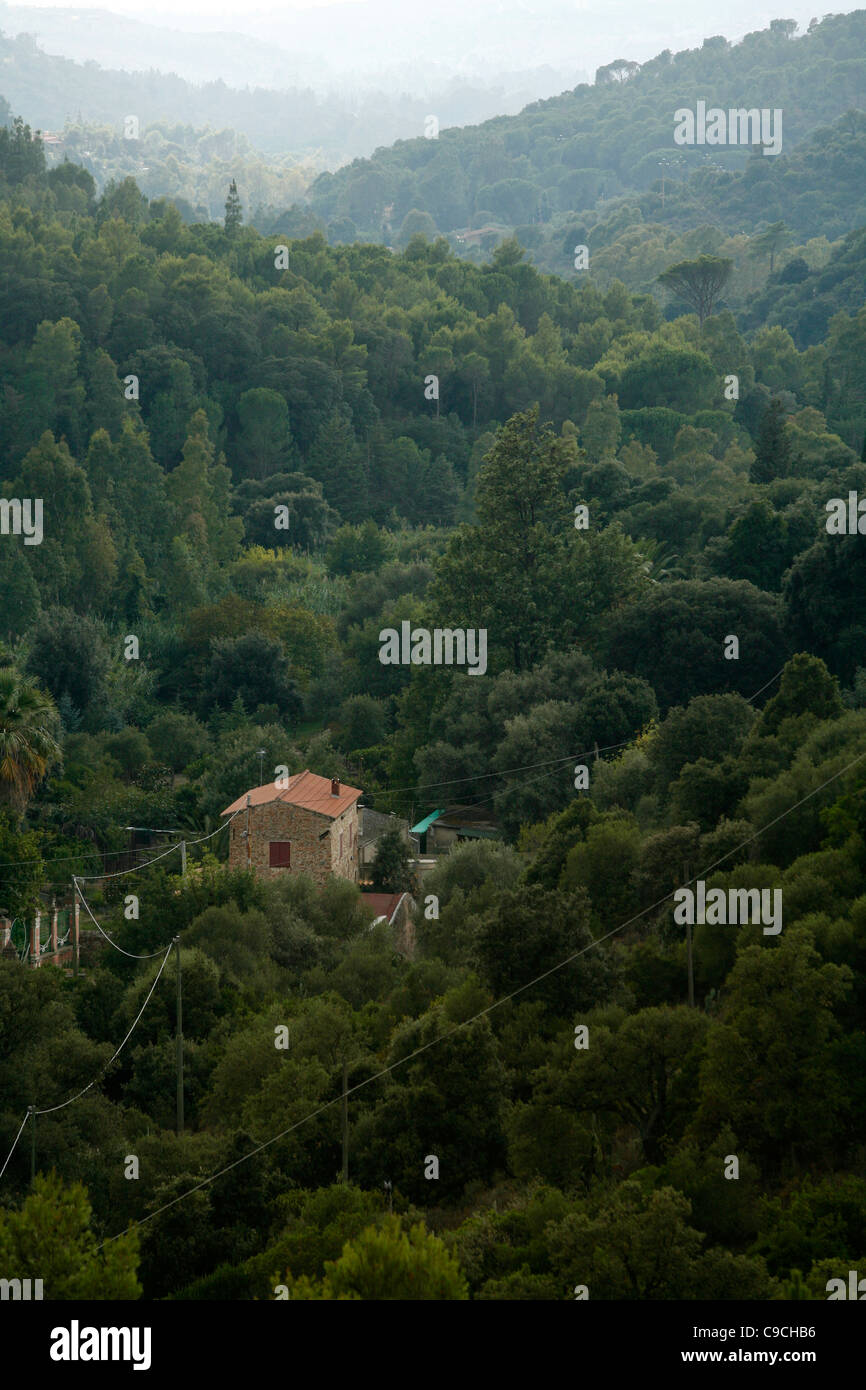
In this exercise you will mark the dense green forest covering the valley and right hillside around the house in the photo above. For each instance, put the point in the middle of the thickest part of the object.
(172, 390)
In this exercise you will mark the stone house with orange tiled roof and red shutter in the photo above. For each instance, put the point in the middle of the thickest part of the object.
(311, 826)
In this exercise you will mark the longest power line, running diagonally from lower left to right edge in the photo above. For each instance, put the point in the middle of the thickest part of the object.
(482, 1014)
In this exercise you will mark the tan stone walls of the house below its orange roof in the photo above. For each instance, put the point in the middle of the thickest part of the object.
(315, 842)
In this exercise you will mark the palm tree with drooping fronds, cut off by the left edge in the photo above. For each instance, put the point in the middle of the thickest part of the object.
(28, 719)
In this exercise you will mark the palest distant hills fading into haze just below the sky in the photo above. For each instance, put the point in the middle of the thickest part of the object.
(288, 115)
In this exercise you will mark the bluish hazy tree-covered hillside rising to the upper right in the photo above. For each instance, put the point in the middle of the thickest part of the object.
(600, 163)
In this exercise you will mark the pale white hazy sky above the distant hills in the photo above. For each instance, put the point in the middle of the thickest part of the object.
(411, 45)
